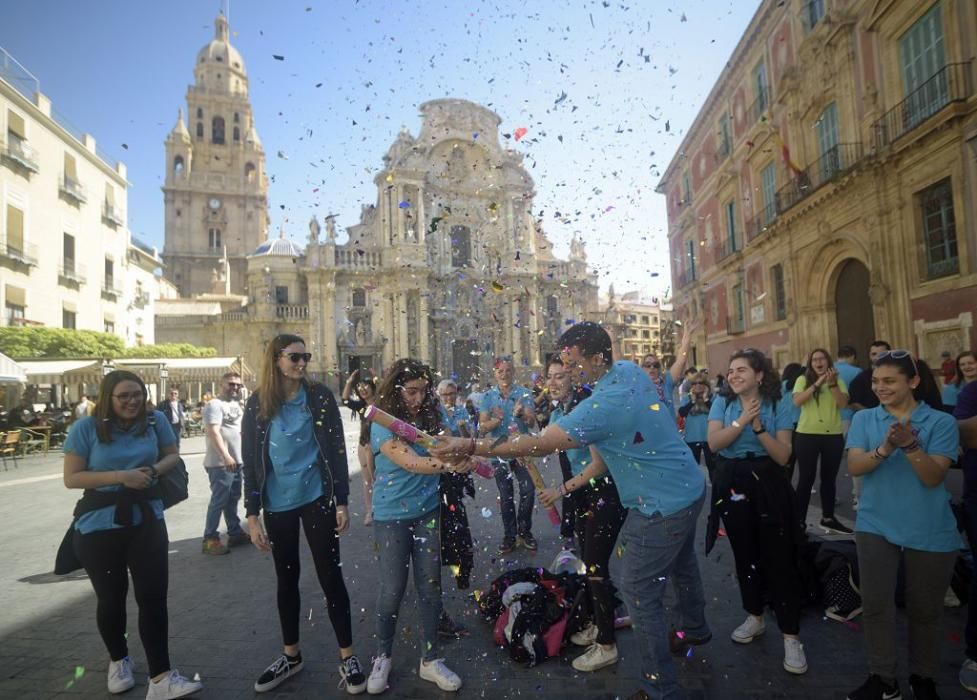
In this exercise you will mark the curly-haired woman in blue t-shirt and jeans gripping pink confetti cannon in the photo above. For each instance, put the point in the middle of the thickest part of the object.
(406, 523)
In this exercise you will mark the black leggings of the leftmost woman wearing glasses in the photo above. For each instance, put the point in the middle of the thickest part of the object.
(109, 556)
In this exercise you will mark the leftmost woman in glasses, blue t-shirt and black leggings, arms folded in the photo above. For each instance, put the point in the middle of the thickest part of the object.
(116, 455)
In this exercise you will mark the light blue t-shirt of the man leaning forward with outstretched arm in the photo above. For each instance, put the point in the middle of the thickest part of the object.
(637, 437)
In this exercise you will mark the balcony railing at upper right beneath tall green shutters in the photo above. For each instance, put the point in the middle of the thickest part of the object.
(952, 83)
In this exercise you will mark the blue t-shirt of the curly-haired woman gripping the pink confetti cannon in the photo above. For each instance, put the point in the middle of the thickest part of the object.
(397, 493)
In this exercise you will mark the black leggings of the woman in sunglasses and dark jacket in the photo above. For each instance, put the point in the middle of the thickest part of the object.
(318, 519)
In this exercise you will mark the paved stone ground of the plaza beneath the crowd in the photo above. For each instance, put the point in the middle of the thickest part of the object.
(224, 625)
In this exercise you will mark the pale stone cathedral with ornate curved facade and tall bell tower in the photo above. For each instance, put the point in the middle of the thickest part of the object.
(448, 265)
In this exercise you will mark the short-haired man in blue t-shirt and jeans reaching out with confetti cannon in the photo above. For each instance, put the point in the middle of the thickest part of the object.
(634, 432)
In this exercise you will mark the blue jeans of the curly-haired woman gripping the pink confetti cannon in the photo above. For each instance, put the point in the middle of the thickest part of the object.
(399, 542)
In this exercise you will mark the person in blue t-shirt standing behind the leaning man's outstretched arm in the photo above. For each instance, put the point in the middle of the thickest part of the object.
(509, 408)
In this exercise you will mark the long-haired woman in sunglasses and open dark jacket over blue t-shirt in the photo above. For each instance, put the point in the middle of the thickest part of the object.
(295, 470)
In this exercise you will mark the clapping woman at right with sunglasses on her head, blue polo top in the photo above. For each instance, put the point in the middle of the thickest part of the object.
(903, 449)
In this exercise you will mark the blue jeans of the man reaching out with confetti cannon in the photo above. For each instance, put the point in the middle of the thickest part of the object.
(655, 549)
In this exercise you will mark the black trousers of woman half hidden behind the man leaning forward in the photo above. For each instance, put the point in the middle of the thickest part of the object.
(598, 521)
